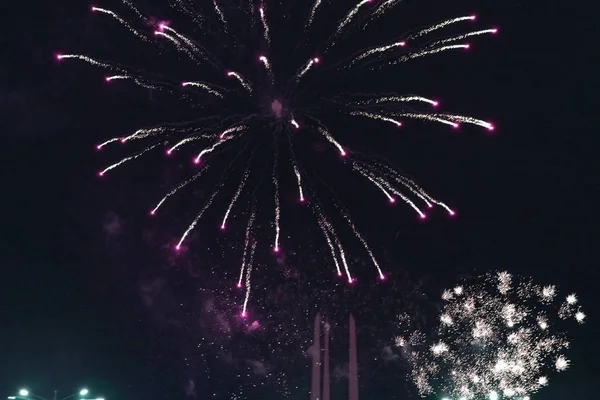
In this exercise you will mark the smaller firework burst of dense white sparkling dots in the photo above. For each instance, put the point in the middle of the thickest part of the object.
(500, 336)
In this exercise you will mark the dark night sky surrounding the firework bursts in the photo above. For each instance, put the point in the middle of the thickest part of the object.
(89, 295)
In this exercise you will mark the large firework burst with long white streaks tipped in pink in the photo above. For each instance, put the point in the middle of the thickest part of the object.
(243, 93)
